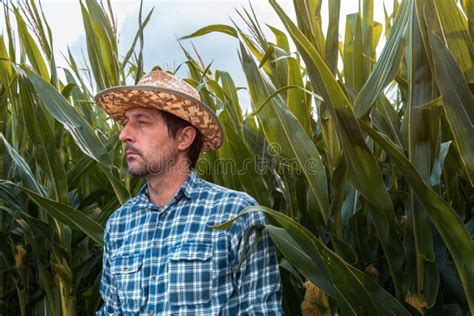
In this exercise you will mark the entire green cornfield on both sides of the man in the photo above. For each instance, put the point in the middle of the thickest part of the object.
(364, 164)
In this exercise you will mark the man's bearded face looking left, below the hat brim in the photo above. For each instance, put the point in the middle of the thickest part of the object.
(149, 149)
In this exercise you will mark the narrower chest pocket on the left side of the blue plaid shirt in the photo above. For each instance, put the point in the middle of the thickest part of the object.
(127, 272)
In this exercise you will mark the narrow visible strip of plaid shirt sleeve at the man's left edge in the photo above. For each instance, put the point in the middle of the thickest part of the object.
(108, 289)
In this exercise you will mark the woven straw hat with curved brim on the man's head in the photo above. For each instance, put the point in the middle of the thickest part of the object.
(163, 91)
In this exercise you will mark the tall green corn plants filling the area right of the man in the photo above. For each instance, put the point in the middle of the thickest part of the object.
(376, 211)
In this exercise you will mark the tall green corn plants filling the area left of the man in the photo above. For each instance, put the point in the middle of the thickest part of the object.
(61, 164)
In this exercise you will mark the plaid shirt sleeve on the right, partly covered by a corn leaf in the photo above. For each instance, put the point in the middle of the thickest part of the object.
(257, 279)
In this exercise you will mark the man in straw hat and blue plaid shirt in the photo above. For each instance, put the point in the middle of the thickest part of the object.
(160, 254)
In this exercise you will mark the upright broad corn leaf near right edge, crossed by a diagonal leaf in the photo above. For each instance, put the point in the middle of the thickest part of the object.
(419, 153)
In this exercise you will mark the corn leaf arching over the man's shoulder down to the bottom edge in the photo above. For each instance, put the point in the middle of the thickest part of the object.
(355, 291)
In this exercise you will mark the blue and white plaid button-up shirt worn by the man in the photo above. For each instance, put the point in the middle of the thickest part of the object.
(168, 261)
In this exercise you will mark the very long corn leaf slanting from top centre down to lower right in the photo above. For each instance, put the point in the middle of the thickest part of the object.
(363, 171)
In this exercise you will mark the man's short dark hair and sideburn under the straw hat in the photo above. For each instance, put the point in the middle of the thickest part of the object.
(174, 124)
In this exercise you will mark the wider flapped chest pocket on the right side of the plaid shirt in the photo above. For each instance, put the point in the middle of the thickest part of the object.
(190, 274)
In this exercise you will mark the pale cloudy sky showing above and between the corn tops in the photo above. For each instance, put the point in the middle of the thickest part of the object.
(173, 19)
